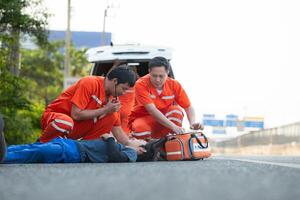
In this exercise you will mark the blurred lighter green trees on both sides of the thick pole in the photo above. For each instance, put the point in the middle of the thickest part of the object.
(44, 66)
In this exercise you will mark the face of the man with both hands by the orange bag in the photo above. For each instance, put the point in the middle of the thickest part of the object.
(158, 76)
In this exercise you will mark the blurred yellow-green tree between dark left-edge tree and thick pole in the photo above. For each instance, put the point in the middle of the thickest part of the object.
(43, 66)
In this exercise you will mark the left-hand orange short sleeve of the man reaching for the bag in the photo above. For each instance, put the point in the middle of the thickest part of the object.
(142, 94)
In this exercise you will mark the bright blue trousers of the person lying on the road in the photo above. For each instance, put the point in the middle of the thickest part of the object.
(56, 151)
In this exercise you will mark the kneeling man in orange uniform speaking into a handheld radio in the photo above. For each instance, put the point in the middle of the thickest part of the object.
(86, 110)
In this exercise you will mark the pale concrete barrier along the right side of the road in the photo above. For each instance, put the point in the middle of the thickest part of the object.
(274, 140)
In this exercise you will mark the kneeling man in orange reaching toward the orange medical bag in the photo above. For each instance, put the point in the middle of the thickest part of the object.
(157, 99)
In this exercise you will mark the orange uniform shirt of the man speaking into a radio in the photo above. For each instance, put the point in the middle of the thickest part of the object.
(87, 93)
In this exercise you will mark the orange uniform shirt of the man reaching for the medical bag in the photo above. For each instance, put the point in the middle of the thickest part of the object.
(146, 93)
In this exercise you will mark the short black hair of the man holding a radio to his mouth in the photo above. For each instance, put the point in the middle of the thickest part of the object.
(123, 75)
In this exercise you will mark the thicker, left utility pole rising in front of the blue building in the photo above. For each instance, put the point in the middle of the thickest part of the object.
(67, 44)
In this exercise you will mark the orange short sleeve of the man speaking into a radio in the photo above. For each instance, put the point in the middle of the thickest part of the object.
(82, 93)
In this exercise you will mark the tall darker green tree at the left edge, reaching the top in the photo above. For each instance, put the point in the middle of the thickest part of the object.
(18, 17)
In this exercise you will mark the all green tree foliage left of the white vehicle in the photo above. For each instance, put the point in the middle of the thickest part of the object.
(30, 78)
